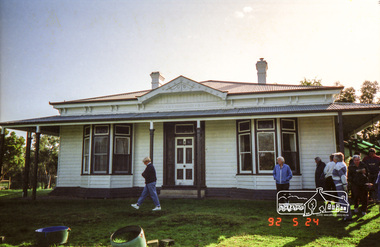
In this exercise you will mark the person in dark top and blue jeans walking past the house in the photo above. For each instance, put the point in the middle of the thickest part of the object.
(150, 186)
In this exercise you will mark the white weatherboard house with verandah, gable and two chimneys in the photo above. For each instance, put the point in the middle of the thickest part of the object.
(210, 138)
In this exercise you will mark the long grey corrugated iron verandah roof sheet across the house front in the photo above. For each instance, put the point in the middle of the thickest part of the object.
(334, 107)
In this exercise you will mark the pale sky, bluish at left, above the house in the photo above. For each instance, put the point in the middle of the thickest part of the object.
(64, 50)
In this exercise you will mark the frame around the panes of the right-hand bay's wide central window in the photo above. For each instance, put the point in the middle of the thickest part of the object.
(275, 143)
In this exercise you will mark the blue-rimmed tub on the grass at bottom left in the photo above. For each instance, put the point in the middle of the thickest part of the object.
(52, 235)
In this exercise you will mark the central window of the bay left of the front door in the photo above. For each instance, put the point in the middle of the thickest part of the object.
(100, 149)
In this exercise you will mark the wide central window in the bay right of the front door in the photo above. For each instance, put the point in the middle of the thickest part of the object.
(266, 145)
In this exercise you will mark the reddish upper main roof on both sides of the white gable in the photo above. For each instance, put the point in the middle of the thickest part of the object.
(224, 86)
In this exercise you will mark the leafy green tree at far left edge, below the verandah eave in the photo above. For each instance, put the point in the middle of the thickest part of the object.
(13, 159)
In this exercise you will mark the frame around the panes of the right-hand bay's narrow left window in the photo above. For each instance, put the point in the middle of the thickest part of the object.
(240, 133)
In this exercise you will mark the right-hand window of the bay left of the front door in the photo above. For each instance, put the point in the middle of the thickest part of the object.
(122, 150)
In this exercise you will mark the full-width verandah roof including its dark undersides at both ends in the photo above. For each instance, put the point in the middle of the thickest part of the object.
(50, 125)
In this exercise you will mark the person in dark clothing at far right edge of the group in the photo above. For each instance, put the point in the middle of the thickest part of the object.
(373, 162)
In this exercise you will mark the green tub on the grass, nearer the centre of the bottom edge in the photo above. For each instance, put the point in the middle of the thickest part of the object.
(128, 236)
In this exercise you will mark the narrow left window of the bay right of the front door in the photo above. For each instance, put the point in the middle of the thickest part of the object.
(244, 146)
